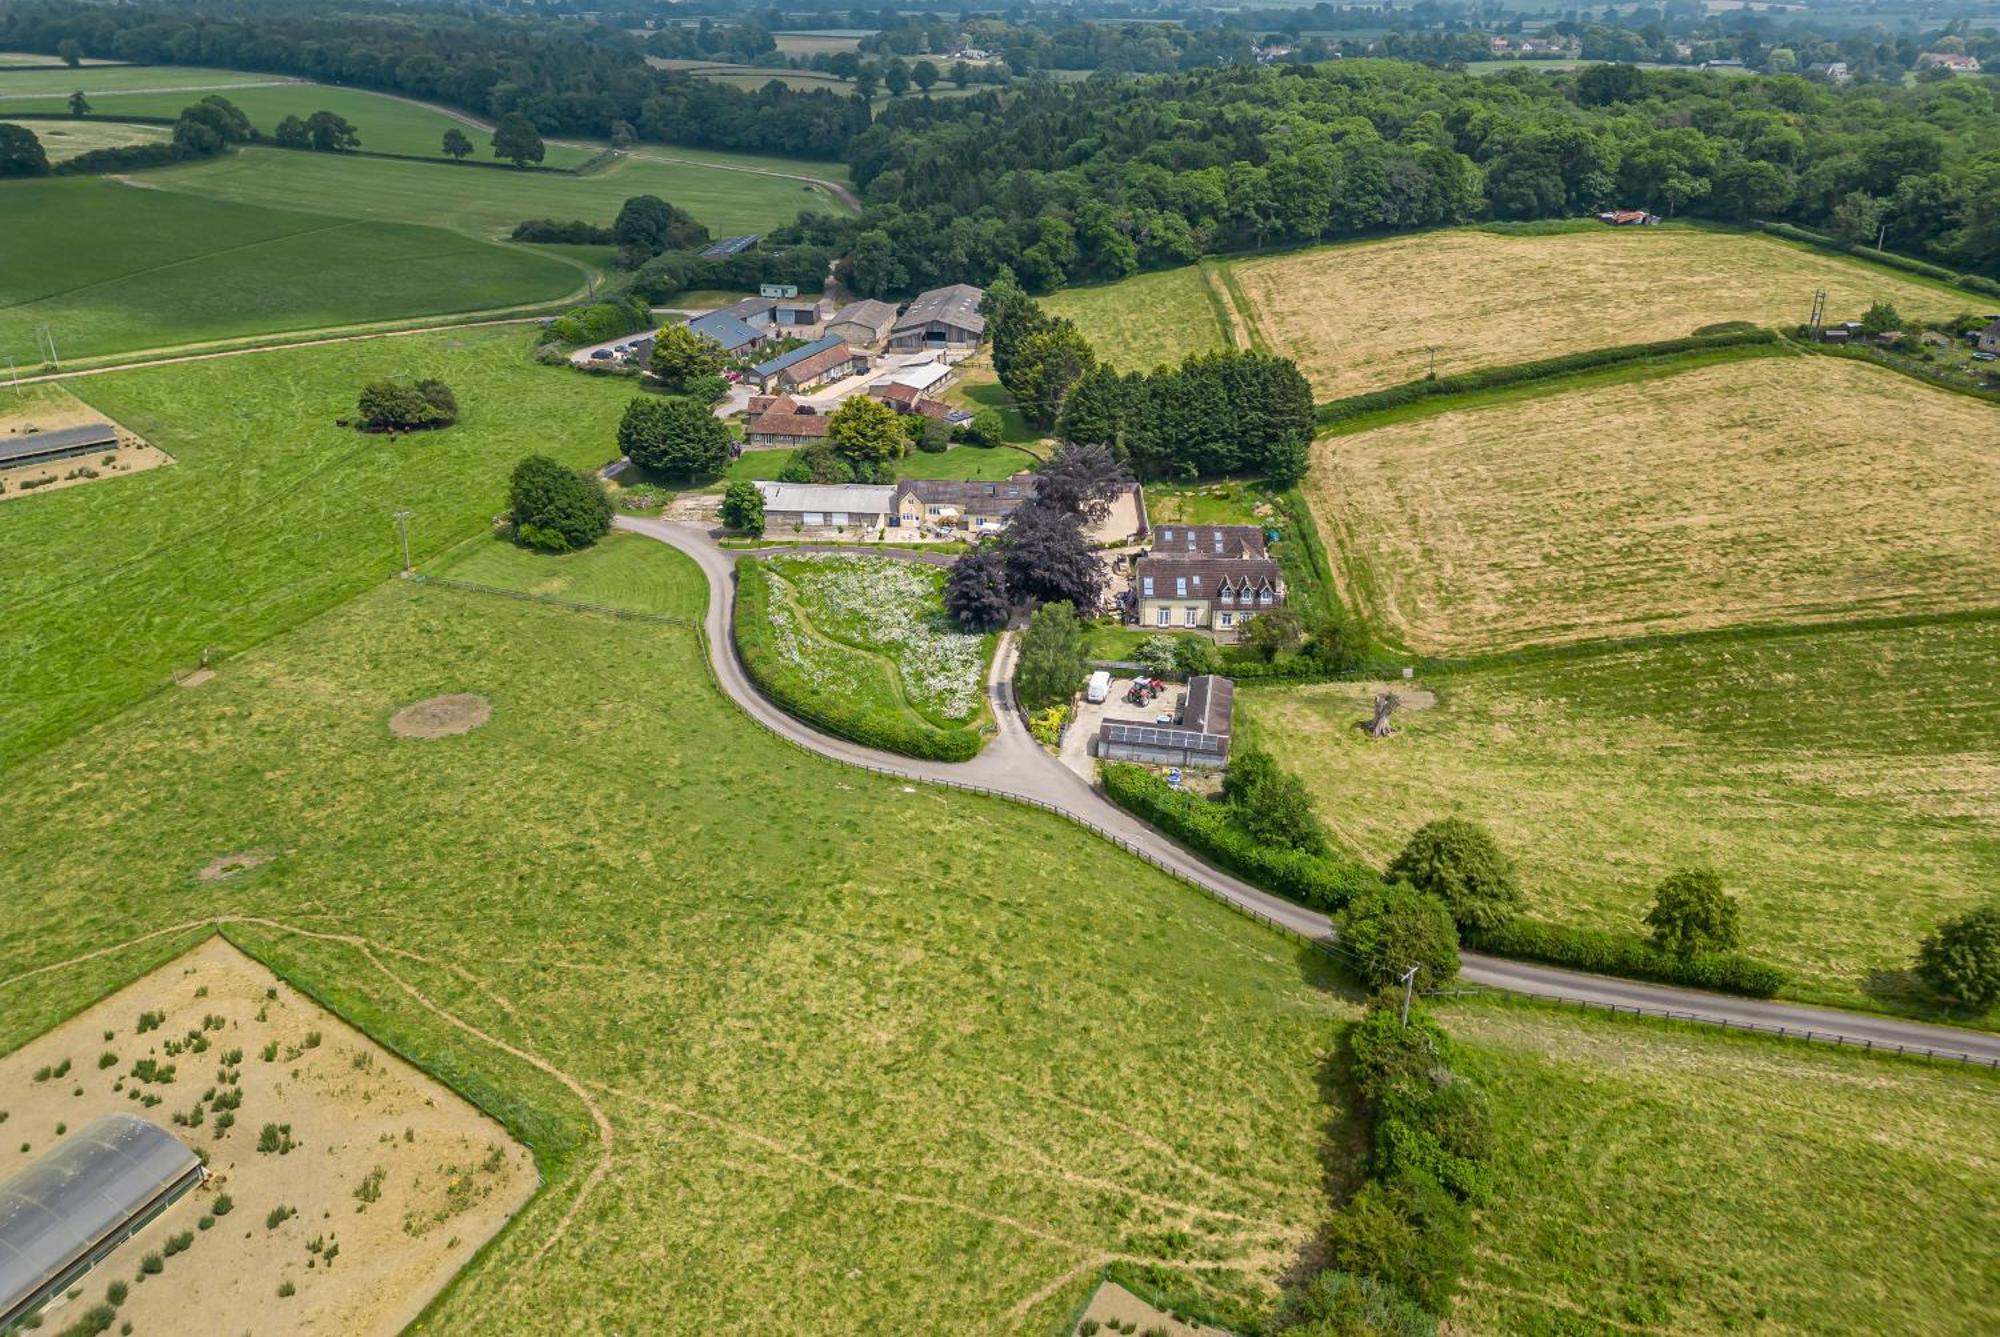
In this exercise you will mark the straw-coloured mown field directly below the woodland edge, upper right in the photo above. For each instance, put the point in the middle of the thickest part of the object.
(1365, 315)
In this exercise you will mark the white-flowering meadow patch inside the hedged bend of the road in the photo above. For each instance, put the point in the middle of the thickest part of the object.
(897, 609)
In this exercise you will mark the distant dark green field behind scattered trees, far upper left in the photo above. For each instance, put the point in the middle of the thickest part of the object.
(387, 125)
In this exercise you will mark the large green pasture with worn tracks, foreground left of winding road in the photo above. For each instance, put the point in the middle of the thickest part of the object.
(869, 1058)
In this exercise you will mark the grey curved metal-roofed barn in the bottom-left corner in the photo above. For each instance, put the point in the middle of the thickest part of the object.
(67, 1212)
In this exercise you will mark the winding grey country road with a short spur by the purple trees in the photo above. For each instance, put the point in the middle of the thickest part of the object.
(1015, 768)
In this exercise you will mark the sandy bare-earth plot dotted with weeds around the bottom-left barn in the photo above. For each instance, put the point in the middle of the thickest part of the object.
(391, 1174)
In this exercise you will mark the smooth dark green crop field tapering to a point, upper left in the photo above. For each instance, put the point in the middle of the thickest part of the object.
(135, 269)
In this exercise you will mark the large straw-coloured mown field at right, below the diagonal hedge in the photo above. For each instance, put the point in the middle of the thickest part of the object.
(1757, 491)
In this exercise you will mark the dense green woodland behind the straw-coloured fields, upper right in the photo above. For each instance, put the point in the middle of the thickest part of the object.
(1097, 181)
